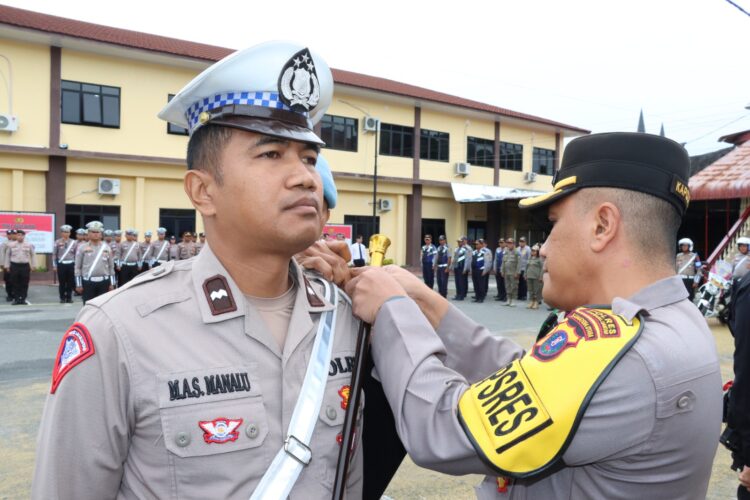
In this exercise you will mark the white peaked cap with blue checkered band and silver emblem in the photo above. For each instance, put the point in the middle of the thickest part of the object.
(280, 89)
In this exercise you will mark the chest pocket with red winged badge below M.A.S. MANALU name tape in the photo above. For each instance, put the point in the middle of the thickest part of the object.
(212, 419)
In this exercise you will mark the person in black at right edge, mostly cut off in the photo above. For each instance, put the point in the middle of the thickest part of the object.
(737, 435)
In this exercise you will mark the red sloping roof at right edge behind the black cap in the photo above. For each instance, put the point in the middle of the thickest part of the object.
(728, 177)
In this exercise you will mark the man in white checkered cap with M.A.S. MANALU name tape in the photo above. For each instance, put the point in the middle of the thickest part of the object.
(225, 375)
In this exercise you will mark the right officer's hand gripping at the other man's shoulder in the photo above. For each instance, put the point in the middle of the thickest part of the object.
(369, 289)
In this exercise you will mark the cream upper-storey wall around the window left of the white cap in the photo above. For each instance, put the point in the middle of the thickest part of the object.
(143, 93)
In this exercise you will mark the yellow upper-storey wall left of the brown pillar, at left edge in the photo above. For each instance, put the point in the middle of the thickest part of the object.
(29, 76)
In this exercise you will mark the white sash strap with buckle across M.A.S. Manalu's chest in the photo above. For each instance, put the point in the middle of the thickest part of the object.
(288, 463)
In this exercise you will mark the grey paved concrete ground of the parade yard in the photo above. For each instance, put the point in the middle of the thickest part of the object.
(29, 338)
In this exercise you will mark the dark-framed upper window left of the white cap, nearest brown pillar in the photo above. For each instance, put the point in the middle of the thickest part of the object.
(90, 104)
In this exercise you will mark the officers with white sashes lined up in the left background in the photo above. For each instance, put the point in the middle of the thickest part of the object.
(93, 263)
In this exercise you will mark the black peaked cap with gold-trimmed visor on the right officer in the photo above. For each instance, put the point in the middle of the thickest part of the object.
(636, 161)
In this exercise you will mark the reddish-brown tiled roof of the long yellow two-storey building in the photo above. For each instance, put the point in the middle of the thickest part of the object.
(144, 41)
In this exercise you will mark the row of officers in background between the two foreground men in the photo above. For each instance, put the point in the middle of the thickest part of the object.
(518, 270)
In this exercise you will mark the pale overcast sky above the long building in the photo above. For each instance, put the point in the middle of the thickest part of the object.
(589, 63)
